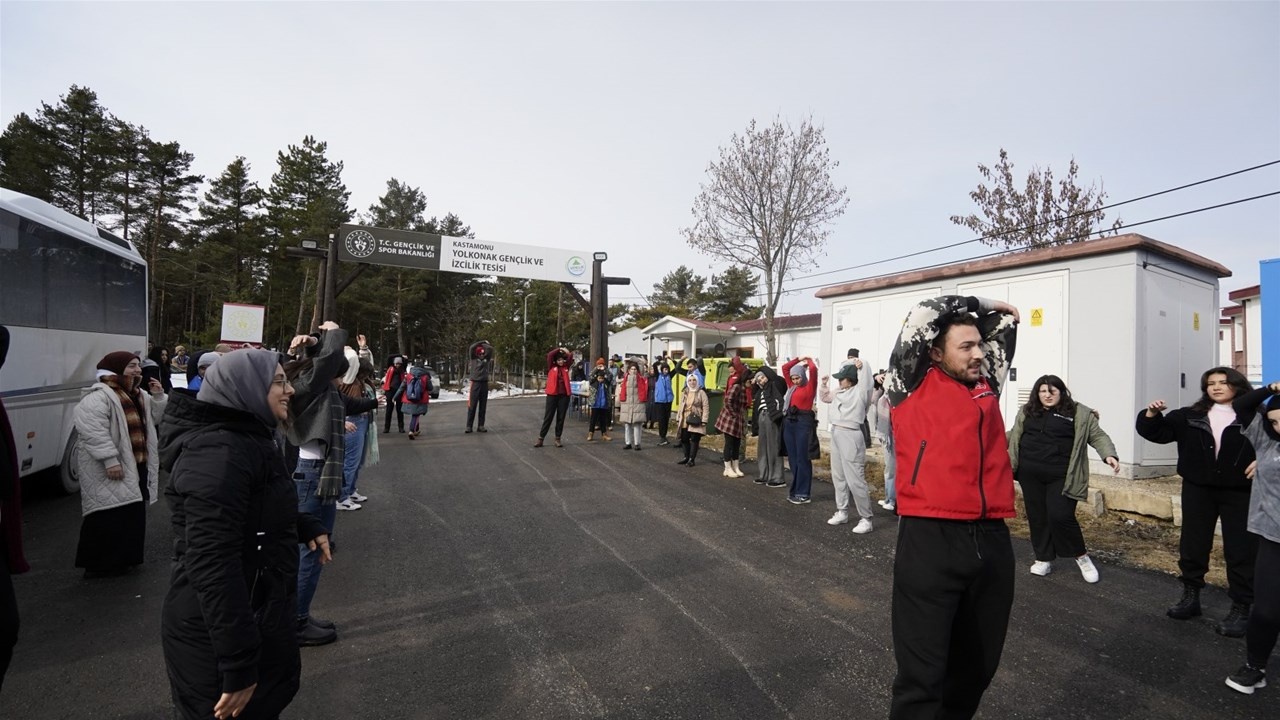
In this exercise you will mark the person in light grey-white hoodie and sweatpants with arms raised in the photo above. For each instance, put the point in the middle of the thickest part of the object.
(849, 405)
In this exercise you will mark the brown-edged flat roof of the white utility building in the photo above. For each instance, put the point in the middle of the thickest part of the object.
(1030, 258)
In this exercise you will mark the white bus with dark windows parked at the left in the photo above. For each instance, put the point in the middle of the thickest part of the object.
(70, 294)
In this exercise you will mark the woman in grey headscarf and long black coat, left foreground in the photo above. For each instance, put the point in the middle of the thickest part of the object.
(228, 622)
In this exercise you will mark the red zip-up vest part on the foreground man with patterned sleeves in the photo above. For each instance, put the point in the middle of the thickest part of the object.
(953, 458)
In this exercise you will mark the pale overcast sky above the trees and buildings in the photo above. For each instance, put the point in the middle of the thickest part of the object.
(589, 126)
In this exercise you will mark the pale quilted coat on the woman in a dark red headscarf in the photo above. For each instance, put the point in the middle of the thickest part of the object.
(104, 441)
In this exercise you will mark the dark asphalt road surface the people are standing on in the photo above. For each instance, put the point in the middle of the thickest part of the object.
(490, 580)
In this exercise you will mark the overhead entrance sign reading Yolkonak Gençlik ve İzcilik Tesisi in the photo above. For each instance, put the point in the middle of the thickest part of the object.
(431, 252)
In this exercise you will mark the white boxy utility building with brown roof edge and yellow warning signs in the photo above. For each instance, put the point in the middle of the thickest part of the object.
(1123, 321)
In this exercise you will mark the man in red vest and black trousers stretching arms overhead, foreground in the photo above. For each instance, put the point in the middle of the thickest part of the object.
(954, 569)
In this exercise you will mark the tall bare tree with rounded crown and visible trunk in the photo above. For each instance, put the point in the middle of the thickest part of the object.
(767, 204)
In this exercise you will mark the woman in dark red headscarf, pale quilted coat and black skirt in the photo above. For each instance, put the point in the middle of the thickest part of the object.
(118, 466)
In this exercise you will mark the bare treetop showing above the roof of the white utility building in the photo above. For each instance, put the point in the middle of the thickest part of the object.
(1037, 216)
